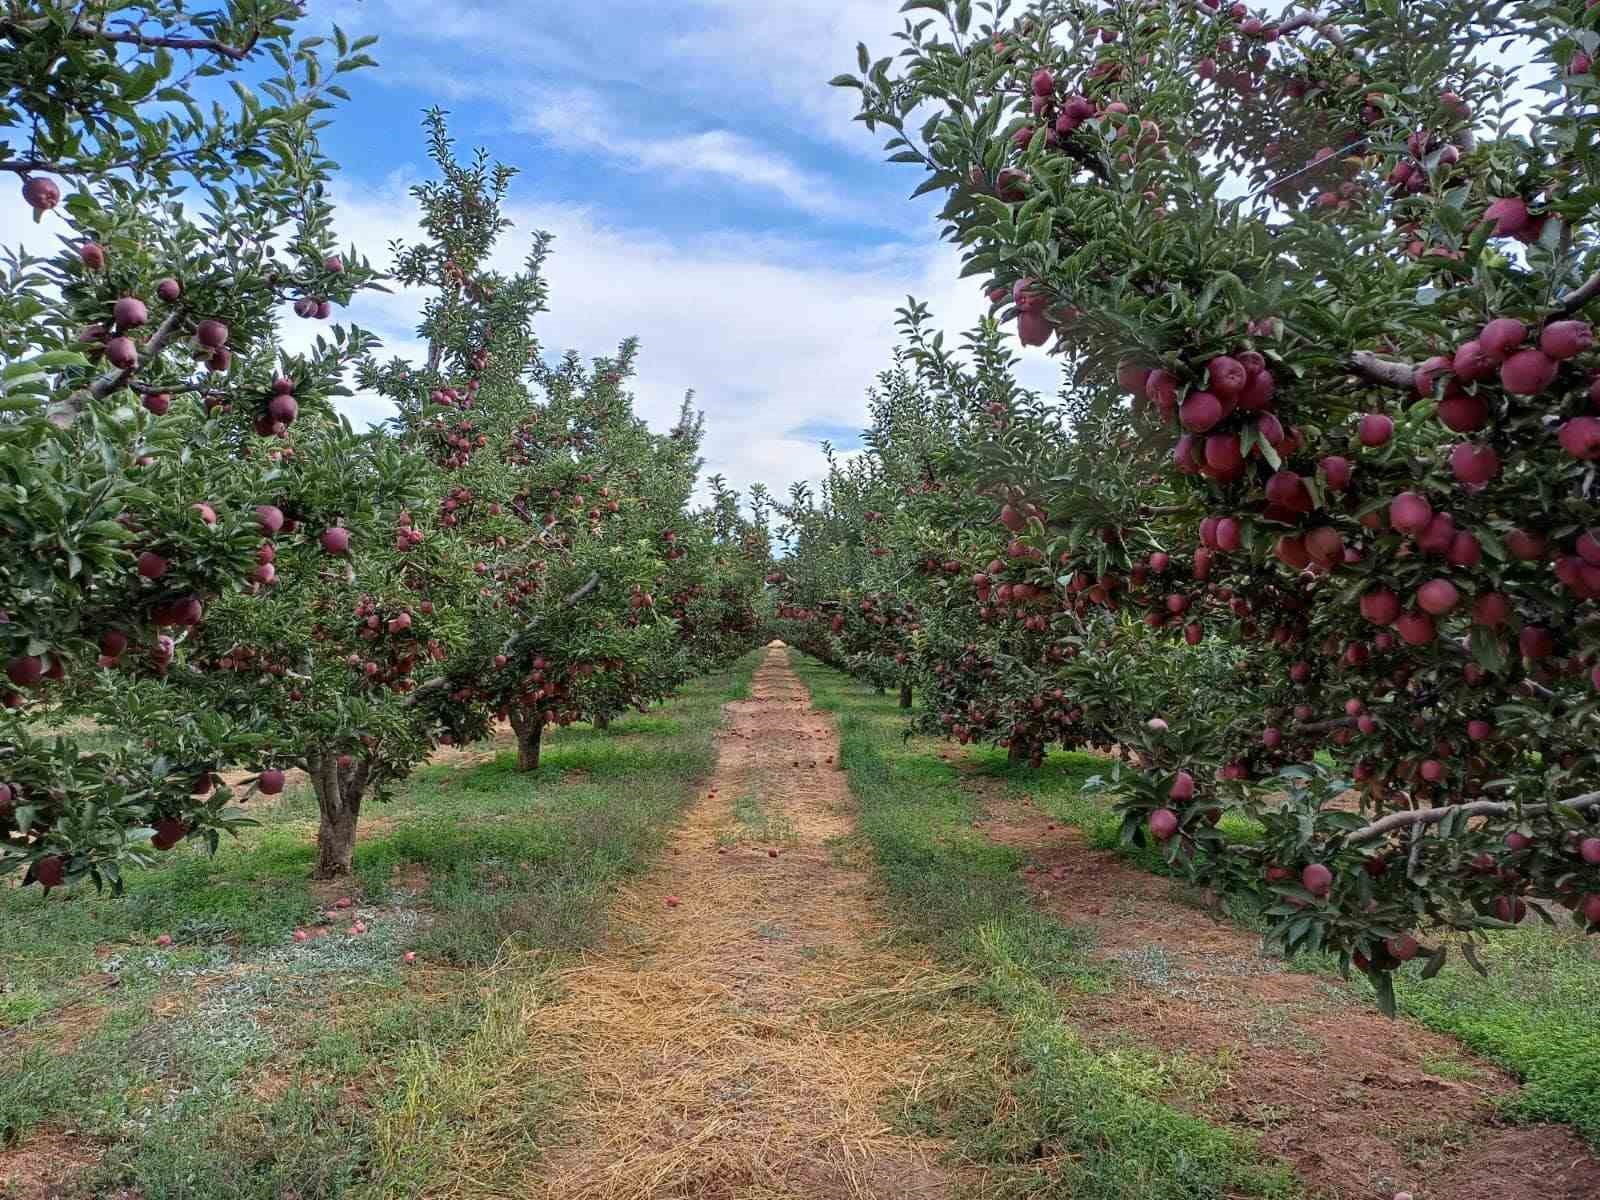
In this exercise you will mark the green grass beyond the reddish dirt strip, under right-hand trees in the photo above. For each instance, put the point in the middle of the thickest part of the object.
(1537, 1014)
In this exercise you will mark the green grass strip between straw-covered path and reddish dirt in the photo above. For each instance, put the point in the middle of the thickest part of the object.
(1078, 1121)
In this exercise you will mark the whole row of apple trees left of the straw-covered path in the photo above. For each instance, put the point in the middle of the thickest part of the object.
(206, 562)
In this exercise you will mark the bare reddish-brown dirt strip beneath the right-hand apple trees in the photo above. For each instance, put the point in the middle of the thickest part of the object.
(1359, 1105)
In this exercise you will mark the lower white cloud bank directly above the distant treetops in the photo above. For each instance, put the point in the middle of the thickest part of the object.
(769, 335)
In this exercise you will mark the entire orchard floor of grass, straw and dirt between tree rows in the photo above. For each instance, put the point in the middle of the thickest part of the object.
(753, 946)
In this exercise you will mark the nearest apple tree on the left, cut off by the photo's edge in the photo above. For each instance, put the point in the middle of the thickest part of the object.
(143, 391)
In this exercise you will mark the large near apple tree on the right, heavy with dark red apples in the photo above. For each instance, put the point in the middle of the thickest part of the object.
(1343, 263)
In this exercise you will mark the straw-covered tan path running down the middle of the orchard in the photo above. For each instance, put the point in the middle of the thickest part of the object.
(748, 1041)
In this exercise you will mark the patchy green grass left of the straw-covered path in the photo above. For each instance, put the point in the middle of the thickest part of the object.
(226, 1066)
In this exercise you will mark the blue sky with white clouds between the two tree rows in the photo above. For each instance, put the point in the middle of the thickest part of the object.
(706, 188)
